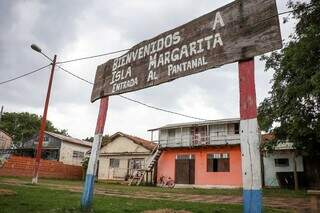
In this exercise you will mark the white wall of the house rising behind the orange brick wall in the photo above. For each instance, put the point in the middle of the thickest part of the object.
(66, 153)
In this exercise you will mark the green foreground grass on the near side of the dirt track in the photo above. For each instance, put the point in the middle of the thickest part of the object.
(41, 199)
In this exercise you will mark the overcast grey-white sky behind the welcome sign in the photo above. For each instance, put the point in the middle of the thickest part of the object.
(76, 28)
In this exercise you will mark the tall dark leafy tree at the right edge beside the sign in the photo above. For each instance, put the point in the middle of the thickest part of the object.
(291, 112)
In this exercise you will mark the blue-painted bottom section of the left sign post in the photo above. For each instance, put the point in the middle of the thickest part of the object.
(86, 200)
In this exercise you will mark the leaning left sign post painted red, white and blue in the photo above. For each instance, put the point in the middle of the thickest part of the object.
(86, 200)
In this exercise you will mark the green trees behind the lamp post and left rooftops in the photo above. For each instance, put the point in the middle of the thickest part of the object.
(24, 125)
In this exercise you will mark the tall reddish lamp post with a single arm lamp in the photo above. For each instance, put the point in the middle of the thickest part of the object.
(44, 116)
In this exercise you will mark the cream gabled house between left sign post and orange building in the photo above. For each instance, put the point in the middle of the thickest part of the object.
(124, 154)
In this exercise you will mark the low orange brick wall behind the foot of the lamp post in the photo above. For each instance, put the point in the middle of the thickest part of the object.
(23, 166)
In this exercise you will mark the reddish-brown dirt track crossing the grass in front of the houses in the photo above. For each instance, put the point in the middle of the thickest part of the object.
(273, 202)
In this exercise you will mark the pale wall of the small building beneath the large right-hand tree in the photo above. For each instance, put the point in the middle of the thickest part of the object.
(270, 169)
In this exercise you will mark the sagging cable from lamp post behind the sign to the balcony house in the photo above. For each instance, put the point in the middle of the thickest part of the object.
(133, 100)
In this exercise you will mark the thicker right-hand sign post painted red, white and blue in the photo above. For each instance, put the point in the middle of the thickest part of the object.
(250, 139)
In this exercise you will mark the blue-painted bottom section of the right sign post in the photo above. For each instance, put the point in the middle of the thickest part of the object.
(252, 200)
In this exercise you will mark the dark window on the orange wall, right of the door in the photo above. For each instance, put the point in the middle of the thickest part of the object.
(218, 162)
